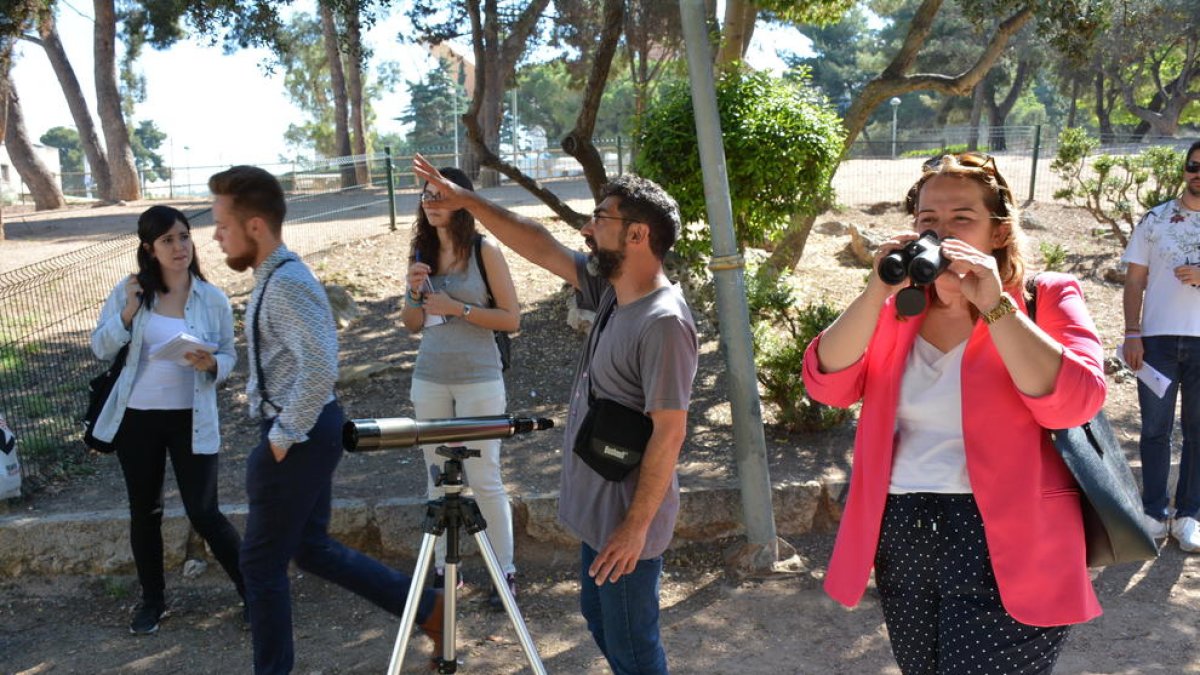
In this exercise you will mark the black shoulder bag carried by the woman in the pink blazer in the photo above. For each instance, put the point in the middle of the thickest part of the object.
(1114, 527)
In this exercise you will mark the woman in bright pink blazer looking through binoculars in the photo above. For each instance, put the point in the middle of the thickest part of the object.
(958, 498)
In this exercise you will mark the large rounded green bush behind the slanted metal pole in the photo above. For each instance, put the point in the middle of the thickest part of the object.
(783, 144)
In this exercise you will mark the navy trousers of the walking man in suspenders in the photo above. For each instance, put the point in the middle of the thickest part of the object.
(290, 509)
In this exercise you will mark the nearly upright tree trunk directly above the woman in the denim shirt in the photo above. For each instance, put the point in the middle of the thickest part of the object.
(109, 105)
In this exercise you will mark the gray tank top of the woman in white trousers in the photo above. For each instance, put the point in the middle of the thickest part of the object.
(459, 353)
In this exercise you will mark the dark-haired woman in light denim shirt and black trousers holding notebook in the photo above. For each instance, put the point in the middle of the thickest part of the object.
(161, 407)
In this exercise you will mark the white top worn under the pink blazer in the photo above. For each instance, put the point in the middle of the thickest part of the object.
(931, 456)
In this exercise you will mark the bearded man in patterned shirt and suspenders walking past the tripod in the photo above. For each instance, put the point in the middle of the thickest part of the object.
(292, 344)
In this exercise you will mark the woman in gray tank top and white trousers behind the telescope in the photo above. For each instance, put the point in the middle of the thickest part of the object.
(459, 368)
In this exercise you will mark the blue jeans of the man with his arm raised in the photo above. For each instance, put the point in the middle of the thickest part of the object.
(623, 617)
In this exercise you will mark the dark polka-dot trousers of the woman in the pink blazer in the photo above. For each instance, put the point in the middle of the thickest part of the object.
(940, 599)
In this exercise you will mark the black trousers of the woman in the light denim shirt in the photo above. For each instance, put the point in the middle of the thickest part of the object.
(143, 443)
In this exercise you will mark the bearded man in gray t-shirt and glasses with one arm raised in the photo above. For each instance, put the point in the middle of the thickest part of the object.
(641, 354)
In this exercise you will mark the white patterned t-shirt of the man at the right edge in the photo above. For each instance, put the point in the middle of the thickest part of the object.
(1168, 237)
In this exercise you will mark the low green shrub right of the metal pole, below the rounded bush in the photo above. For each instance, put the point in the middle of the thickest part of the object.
(782, 333)
